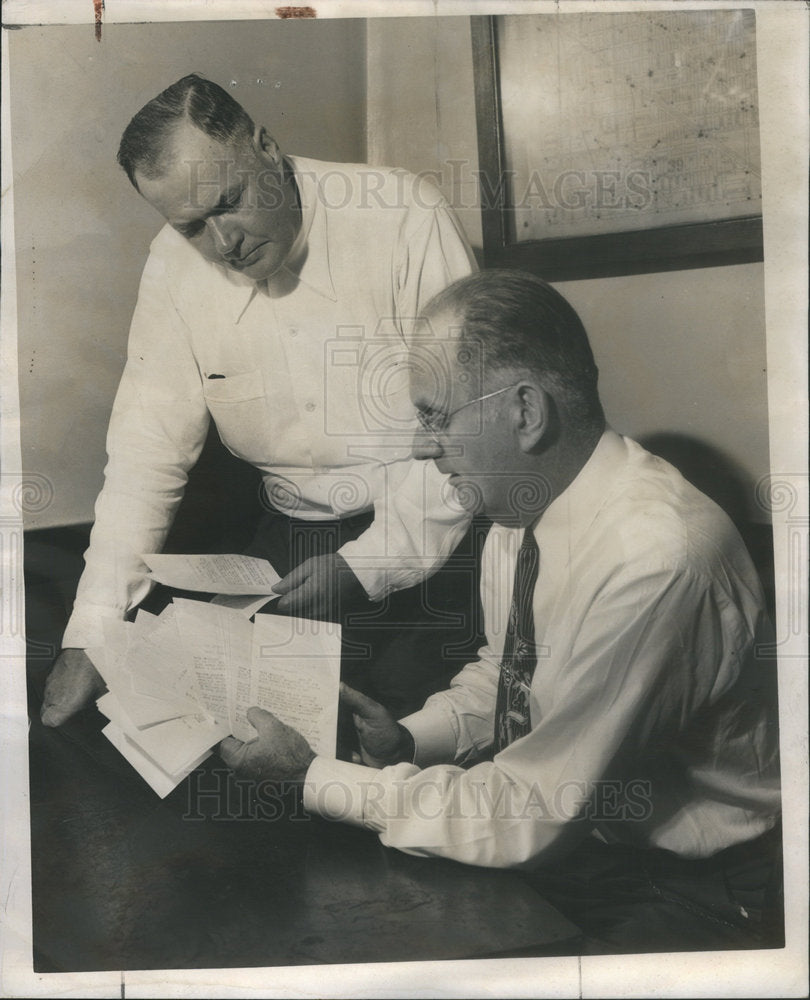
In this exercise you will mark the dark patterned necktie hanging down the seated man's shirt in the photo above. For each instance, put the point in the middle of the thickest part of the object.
(519, 651)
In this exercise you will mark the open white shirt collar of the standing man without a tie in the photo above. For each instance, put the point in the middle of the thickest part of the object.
(307, 263)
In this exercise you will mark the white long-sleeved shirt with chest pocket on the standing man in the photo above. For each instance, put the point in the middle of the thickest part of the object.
(311, 386)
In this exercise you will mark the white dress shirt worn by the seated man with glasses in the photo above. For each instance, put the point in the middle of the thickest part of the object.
(648, 707)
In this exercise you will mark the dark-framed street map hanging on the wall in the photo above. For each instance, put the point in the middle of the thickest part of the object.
(618, 143)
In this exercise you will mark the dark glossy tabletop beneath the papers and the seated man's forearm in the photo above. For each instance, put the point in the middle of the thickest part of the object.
(225, 873)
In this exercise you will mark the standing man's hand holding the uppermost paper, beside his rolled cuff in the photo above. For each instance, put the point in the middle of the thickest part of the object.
(322, 587)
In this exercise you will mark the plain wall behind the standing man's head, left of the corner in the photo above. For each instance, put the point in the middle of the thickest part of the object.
(82, 232)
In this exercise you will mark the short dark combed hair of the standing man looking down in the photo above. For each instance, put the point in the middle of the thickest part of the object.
(193, 98)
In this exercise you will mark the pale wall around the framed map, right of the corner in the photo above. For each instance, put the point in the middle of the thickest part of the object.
(679, 353)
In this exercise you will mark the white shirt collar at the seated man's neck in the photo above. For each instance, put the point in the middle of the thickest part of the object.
(573, 511)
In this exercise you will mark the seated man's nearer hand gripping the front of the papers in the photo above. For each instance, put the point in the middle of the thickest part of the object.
(279, 753)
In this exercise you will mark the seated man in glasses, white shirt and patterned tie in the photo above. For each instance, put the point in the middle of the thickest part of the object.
(617, 736)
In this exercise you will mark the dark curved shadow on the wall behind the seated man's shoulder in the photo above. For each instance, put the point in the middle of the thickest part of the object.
(725, 482)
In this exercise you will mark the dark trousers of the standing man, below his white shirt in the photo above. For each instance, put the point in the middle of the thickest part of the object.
(408, 646)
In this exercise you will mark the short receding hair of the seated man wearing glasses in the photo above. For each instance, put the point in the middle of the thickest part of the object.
(520, 321)
